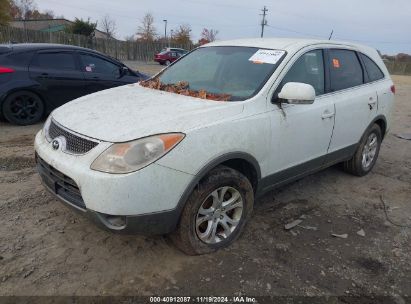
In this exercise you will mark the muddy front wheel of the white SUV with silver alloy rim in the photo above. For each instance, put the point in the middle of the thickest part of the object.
(222, 182)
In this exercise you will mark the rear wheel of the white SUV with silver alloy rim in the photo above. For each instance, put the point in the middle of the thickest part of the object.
(366, 154)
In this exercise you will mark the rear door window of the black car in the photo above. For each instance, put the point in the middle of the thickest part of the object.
(55, 61)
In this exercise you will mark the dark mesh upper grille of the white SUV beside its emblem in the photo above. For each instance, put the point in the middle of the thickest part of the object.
(74, 143)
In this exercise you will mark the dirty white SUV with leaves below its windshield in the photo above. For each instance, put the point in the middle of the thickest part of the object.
(188, 152)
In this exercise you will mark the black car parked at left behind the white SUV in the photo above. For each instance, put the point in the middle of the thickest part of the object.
(37, 78)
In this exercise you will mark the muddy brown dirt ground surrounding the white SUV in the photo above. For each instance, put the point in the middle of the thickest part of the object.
(48, 249)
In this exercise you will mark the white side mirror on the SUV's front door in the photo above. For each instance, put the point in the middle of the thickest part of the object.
(297, 93)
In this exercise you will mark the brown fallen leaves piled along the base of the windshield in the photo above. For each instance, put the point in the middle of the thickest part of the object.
(183, 88)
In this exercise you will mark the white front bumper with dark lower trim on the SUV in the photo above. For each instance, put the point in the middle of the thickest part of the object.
(146, 200)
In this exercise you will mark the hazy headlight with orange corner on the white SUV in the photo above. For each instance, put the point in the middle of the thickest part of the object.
(135, 155)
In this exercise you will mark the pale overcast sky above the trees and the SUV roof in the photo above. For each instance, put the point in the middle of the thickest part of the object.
(382, 24)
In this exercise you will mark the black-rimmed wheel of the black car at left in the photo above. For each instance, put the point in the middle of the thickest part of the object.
(23, 108)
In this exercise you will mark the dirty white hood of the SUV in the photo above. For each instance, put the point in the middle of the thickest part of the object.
(132, 111)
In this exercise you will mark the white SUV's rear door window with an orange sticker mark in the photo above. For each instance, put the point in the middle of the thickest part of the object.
(345, 70)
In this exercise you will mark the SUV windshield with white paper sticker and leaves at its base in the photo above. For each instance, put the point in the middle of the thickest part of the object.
(221, 73)
